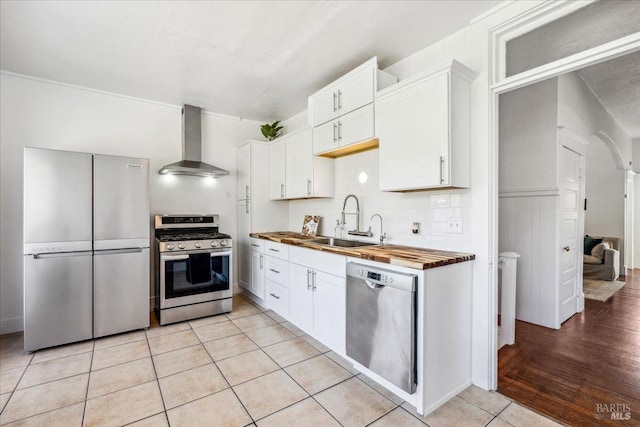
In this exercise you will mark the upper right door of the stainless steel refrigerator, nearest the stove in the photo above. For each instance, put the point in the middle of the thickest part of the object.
(121, 202)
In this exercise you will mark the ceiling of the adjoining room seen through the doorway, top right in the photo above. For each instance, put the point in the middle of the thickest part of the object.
(617, 84)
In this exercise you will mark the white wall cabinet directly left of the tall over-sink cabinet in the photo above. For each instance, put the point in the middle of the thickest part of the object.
(306, 176)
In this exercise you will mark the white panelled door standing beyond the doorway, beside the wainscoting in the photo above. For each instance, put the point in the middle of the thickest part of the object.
(571, 200)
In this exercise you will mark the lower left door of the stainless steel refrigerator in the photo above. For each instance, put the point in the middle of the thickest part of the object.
(57, 299)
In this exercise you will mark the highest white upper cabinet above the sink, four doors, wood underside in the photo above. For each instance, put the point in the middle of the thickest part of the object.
(340, 113)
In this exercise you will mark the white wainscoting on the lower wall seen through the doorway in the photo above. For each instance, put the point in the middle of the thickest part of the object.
(528, 226)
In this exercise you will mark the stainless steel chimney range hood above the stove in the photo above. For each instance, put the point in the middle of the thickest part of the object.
(191, 163)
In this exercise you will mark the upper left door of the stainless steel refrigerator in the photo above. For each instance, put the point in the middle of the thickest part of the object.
(57, 201)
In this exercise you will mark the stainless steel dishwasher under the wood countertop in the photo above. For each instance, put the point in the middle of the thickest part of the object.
(381, 322)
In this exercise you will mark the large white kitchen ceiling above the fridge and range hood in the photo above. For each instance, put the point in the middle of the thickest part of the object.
(257, 60)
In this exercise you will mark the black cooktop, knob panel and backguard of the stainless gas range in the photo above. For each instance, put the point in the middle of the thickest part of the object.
(189, 233)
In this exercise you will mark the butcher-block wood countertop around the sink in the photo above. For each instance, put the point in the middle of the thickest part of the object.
(405, 256)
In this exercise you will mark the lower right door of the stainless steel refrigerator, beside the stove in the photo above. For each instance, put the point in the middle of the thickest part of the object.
(121, 291)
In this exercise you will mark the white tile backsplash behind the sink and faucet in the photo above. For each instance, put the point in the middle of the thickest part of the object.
(432, 209)
